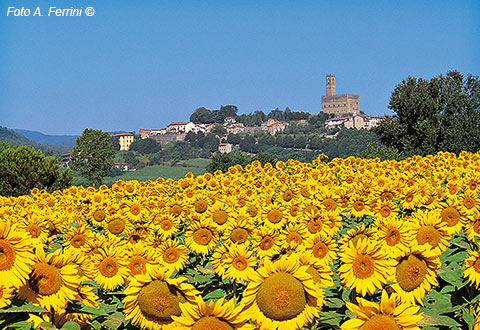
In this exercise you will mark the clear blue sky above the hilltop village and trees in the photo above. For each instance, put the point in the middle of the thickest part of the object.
(144, 64)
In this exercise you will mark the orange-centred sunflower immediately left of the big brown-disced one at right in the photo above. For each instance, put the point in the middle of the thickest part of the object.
(365, 267)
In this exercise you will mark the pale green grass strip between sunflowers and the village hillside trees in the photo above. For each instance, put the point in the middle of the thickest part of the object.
(153, 172)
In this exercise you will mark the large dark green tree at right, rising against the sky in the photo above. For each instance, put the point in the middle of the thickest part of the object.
(440, 114)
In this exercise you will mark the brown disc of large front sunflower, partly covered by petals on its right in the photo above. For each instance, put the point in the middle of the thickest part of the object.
(159, 301)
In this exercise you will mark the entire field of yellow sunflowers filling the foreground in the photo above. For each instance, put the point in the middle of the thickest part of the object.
(347, 244)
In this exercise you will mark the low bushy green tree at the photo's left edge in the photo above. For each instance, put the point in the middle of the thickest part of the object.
(23, 168)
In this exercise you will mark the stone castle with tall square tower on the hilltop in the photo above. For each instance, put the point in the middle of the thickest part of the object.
(339, 104)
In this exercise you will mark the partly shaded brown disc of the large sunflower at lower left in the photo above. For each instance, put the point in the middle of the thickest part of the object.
(45, 279)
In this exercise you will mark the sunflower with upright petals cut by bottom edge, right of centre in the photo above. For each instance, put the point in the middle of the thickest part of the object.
(388, 315)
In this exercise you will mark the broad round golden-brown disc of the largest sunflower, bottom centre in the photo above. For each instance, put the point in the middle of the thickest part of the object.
(281, 297)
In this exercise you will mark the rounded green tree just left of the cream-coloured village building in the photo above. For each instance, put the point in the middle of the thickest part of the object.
(93, 155)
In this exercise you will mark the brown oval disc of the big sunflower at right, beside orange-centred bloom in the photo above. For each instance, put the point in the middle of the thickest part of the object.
(411, 272)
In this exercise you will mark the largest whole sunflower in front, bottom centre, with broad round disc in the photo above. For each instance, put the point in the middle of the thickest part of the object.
(282, 295)
